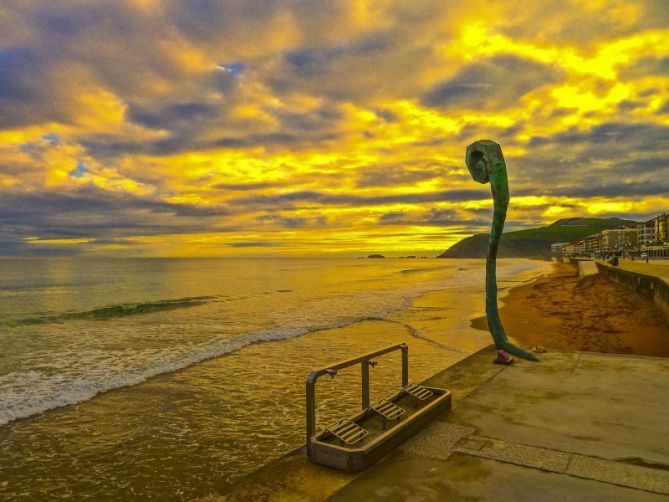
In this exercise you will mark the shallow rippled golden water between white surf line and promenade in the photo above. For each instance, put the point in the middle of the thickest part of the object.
(192, 418)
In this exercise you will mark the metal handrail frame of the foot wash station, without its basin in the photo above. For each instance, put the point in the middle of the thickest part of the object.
(365, 361)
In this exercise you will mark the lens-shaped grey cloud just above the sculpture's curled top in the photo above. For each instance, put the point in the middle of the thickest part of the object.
(495, 83)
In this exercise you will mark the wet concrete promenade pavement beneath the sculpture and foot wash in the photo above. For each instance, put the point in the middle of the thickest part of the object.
(576, 426)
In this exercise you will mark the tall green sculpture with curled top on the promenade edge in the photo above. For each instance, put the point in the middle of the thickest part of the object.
(486, 163)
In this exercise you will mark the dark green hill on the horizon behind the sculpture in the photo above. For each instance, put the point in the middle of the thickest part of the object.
(534, 242)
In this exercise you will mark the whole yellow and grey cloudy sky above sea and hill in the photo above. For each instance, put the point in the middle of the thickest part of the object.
(321, 128)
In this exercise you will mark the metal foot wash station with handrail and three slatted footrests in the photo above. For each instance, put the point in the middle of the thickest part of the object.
(354, 443)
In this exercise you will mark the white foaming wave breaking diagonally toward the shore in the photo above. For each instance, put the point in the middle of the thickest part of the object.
(75, 376)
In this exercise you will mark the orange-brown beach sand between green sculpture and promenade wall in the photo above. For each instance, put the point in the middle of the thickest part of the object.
(590, 313)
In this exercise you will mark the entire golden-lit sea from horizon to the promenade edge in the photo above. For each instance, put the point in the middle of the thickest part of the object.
(168, 379)
